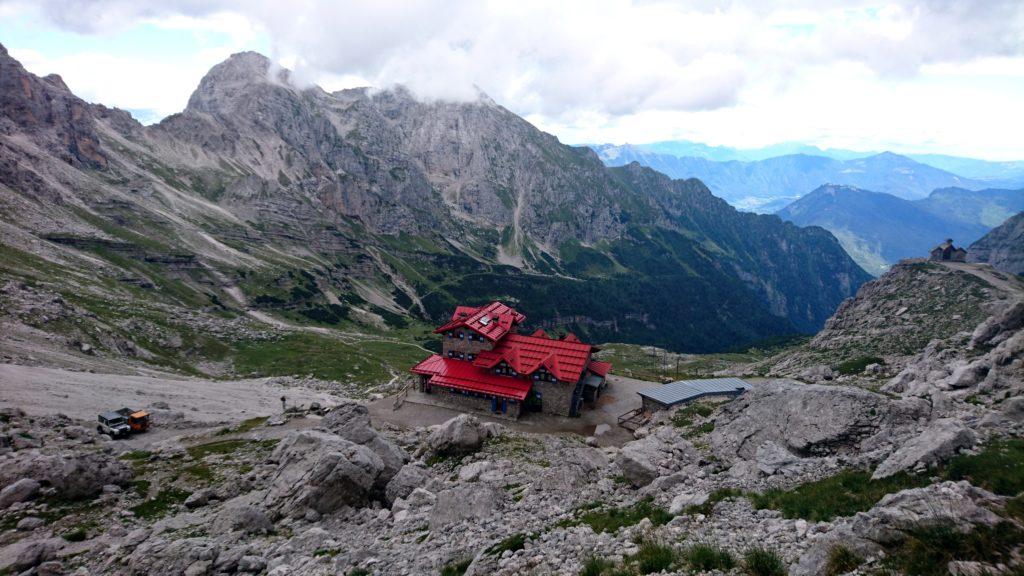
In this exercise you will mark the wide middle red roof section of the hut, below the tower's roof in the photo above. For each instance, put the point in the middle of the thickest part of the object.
(526, 354)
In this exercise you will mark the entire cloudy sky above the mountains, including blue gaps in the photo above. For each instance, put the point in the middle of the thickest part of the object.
(944, 76)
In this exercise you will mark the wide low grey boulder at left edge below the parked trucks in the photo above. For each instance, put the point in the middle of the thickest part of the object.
(74, 476)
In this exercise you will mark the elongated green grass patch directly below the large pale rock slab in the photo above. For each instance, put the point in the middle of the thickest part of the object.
(844, 495)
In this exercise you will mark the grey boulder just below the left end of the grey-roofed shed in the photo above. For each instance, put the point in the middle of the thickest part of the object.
(661, 454)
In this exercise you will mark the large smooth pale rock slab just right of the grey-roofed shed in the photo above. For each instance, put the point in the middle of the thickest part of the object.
(805, 420)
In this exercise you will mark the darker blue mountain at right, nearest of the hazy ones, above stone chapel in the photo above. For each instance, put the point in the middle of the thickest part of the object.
(878, 230)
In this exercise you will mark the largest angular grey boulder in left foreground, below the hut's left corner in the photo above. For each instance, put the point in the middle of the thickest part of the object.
(324, 472)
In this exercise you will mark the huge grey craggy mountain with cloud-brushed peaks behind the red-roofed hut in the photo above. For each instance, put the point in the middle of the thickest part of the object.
(373, 210)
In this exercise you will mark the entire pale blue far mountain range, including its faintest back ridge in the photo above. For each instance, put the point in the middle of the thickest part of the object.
(769, 179)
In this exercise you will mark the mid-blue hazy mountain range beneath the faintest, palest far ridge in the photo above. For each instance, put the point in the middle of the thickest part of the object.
(766, 186)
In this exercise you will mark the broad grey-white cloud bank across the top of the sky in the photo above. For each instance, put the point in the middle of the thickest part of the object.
(615, 57)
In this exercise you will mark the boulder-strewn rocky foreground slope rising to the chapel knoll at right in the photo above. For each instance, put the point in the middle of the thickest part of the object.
(913, 467)
